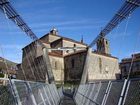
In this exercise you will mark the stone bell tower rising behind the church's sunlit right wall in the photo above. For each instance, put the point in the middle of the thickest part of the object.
(103, 46)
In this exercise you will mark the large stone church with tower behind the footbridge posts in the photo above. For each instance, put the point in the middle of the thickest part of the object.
(67, 65)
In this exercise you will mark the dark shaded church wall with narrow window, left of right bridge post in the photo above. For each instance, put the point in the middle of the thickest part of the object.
(73, 66)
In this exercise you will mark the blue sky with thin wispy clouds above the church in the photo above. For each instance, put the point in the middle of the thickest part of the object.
(73, 19)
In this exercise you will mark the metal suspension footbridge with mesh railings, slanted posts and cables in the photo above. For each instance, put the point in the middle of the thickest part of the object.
(105, 92)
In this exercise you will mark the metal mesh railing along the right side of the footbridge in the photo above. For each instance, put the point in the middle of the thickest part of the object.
(109, 93)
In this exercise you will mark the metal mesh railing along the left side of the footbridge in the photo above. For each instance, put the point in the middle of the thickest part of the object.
(29, 93)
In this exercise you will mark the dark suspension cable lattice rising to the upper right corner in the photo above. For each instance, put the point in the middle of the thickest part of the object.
(128, 7)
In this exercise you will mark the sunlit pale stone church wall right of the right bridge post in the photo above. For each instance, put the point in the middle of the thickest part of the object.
(102, 67)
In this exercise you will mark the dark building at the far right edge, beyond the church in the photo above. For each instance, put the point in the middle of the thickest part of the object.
(128, 64)
